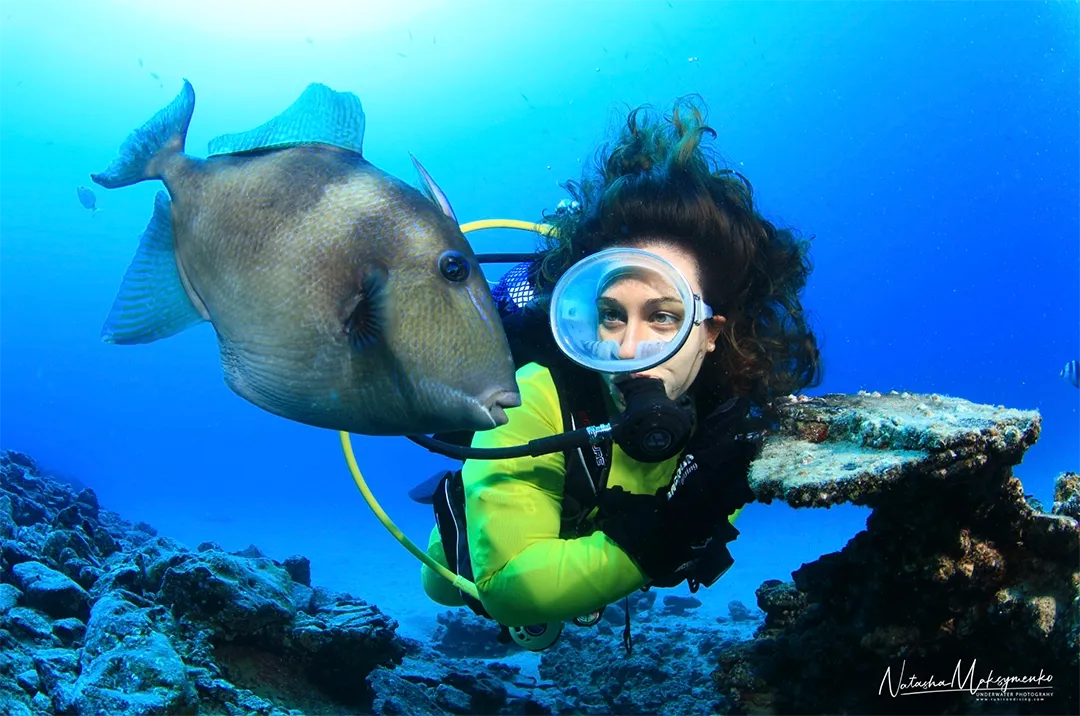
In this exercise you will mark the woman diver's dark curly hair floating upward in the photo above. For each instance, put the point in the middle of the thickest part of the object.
(659, 181)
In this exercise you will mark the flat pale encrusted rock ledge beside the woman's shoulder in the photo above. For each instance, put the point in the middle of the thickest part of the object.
(858, 449)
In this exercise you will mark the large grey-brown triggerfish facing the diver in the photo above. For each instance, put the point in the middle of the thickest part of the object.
(341, 296)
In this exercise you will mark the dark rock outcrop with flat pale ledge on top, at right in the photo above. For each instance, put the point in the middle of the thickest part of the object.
(956, 578)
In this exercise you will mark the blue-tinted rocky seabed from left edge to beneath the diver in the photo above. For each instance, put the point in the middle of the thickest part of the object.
(102, 617)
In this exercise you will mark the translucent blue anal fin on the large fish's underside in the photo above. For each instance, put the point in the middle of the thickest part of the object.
(153, 303)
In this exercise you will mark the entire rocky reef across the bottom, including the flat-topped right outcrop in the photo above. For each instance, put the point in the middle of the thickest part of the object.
(956, 575)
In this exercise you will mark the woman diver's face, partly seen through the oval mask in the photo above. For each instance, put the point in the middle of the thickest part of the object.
(641, 308)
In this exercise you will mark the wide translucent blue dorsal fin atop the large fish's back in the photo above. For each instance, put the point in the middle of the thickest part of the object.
(320, 116)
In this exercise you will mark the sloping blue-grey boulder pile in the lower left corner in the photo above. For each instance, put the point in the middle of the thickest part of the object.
(145, 626)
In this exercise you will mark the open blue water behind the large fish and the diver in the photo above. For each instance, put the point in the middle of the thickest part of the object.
(930, 148)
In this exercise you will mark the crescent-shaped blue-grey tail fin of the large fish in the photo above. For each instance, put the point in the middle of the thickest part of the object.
(142, 154)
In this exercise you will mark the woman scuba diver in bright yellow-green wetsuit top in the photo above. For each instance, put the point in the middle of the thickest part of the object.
(665, 305)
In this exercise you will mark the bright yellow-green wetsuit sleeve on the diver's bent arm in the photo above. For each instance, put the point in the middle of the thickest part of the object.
(524, 573)
